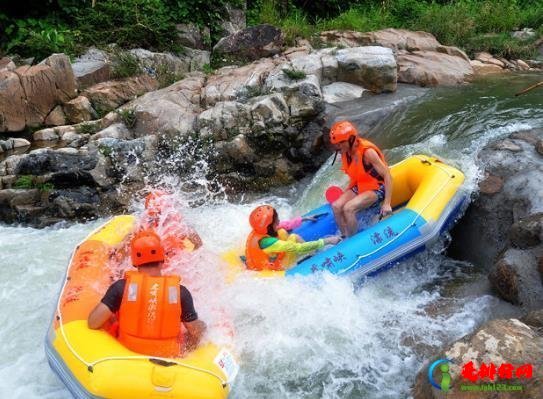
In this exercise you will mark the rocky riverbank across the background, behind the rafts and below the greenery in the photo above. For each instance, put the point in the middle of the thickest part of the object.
(247, 128)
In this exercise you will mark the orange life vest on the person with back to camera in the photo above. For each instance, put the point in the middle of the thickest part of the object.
(150, 315)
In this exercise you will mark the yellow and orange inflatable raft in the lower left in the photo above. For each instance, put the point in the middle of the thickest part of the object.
(93, 364)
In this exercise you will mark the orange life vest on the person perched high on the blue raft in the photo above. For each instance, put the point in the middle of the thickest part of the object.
(363, 179)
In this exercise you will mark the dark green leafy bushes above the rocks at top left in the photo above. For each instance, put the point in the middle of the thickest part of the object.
(40, 27)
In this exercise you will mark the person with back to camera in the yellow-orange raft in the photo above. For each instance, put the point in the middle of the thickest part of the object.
(151, 307)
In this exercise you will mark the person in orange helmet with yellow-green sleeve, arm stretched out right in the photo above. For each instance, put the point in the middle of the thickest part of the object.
(271, 248)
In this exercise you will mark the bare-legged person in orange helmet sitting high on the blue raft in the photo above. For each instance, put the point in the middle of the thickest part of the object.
(370, 179)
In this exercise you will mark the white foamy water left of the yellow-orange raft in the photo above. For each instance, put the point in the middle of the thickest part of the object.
(33, 265)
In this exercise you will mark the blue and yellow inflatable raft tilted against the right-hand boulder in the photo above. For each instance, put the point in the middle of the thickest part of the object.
(427, 199)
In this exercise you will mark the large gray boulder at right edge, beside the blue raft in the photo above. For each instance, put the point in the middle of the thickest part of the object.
(484, 231)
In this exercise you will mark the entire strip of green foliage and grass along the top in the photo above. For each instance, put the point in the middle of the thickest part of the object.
(37, 28)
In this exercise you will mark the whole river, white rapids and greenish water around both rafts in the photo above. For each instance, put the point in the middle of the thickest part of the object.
(309, 337)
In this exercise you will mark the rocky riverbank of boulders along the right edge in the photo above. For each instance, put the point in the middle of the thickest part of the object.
(502, 233)
